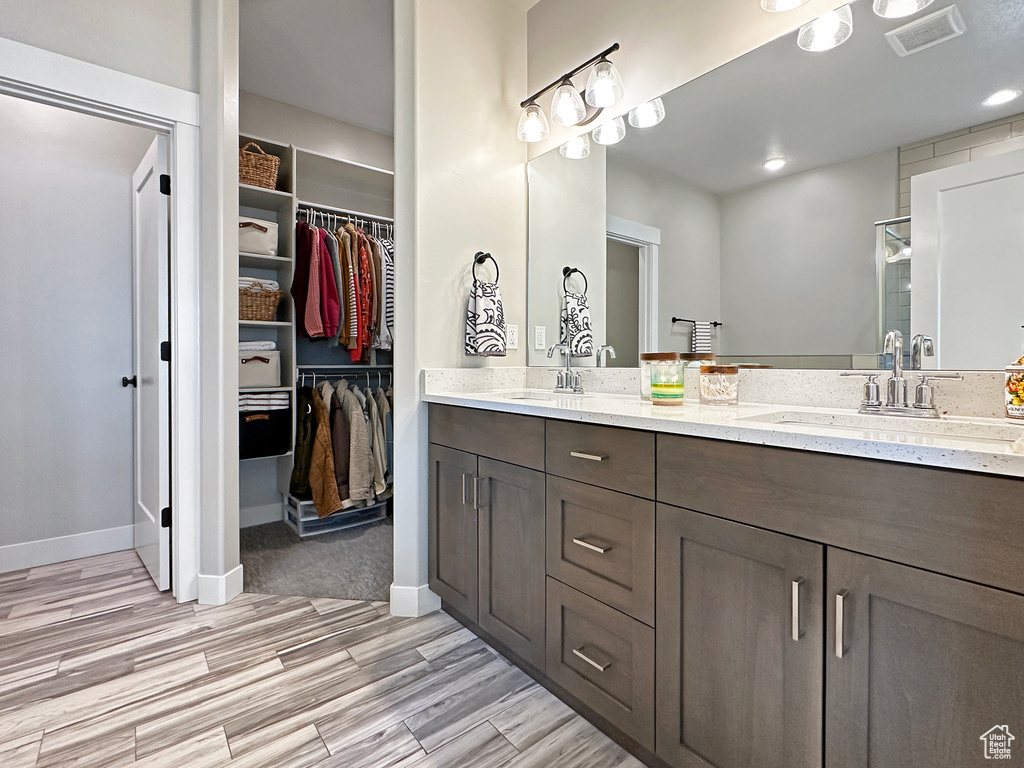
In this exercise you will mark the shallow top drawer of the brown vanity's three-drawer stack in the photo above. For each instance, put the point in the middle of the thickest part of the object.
(610, 457)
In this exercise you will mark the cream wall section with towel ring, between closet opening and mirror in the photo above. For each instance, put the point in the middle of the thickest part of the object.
(460, 188)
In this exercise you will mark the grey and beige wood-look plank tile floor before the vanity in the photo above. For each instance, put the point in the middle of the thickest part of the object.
(100, 669)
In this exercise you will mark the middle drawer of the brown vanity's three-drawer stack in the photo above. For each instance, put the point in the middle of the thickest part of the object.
(603, 543)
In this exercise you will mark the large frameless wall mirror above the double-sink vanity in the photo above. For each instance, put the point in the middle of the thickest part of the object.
(901, 205)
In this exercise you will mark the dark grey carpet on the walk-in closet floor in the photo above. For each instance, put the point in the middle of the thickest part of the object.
(353, 565)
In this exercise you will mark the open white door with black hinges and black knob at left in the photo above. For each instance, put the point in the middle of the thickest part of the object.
(151, 264)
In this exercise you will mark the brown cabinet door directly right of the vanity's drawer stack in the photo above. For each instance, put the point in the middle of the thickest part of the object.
(740, 645)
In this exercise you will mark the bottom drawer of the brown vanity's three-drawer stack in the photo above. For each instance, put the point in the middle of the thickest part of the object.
(605, 659)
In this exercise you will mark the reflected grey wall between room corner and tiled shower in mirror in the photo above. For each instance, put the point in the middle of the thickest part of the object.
(798, 261)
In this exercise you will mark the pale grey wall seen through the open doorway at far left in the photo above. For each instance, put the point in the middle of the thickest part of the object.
(66, 308)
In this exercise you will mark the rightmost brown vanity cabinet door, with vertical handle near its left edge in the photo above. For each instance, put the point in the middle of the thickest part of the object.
(923, 670)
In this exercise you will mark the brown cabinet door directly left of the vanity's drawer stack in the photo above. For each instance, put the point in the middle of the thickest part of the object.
(511, 516)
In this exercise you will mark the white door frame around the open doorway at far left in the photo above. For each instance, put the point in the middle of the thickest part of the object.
(42, 76)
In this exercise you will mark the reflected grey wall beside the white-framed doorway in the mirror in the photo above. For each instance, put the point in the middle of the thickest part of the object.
(690, 275)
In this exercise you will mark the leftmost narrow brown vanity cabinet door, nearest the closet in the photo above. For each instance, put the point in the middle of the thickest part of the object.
(453, 556)
